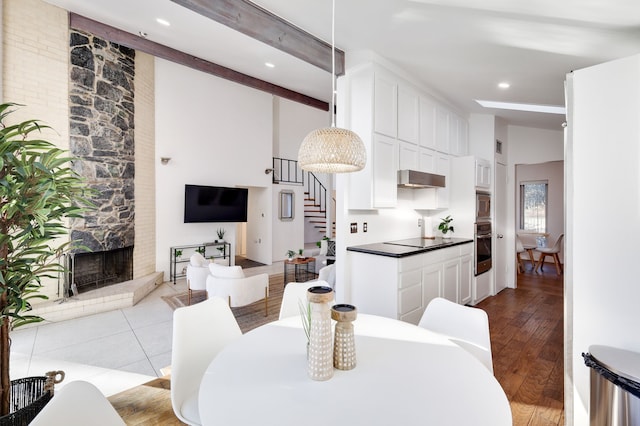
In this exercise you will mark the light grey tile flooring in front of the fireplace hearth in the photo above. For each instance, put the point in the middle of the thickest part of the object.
(115, 350)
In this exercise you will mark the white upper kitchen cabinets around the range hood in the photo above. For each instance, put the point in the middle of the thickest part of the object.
(401, 128)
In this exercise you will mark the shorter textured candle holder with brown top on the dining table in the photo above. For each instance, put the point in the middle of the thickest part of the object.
(344, 347)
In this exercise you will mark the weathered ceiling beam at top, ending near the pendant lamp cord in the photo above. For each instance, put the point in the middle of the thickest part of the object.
(256, 22)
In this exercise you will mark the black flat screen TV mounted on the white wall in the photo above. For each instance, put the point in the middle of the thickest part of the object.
(214, 204)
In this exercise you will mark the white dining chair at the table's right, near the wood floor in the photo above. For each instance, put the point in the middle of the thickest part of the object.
(465, 326)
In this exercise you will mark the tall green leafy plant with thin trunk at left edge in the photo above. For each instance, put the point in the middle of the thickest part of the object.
(39, 192)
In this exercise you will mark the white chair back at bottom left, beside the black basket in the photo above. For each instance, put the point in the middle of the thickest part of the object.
(78, 403)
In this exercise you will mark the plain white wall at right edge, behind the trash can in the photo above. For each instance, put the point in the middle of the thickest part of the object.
(603, 182)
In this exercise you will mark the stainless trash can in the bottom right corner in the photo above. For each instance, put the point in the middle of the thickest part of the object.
(615, 386)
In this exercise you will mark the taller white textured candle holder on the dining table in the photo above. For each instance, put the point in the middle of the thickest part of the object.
(320, 357)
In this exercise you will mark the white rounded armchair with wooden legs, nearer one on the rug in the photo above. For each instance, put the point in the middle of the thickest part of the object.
(230, 283)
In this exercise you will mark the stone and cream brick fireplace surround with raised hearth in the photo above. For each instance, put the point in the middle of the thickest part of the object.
(102, 123)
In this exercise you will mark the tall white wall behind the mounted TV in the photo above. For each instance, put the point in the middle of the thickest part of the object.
(217, 133)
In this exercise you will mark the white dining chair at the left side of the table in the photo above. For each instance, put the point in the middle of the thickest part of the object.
(200, 331)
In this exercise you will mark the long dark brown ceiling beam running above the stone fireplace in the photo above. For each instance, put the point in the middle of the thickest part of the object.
(132, 41)
